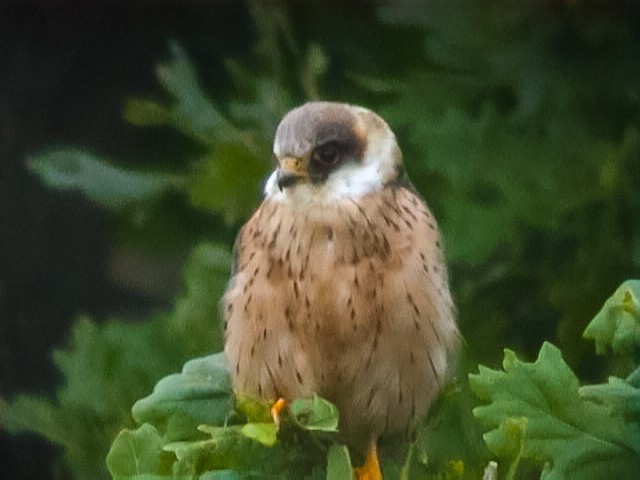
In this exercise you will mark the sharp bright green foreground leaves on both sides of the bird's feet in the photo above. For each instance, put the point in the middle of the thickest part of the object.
(538, 413)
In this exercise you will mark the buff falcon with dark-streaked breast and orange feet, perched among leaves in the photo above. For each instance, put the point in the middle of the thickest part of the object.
(338, 285)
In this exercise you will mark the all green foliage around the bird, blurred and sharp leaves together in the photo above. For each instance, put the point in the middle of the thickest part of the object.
(519, 126)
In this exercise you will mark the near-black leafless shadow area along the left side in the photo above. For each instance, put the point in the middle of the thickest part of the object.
(65, 71)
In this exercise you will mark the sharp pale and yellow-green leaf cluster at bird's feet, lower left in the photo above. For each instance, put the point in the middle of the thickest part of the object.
(191, 426)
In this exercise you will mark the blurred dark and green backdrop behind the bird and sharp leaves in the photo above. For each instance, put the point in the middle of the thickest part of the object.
(134, 140)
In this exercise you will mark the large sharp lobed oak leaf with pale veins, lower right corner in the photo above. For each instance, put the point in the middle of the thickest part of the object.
(536, 413)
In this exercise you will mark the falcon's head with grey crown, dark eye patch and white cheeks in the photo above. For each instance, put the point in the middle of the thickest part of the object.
(331, 151)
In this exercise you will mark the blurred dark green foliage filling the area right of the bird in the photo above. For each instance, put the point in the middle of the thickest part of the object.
(529, 155)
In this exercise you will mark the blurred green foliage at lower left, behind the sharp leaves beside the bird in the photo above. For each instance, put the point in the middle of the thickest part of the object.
(108, 366)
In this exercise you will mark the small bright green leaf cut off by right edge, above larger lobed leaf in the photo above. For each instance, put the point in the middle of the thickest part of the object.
(617, 325)
